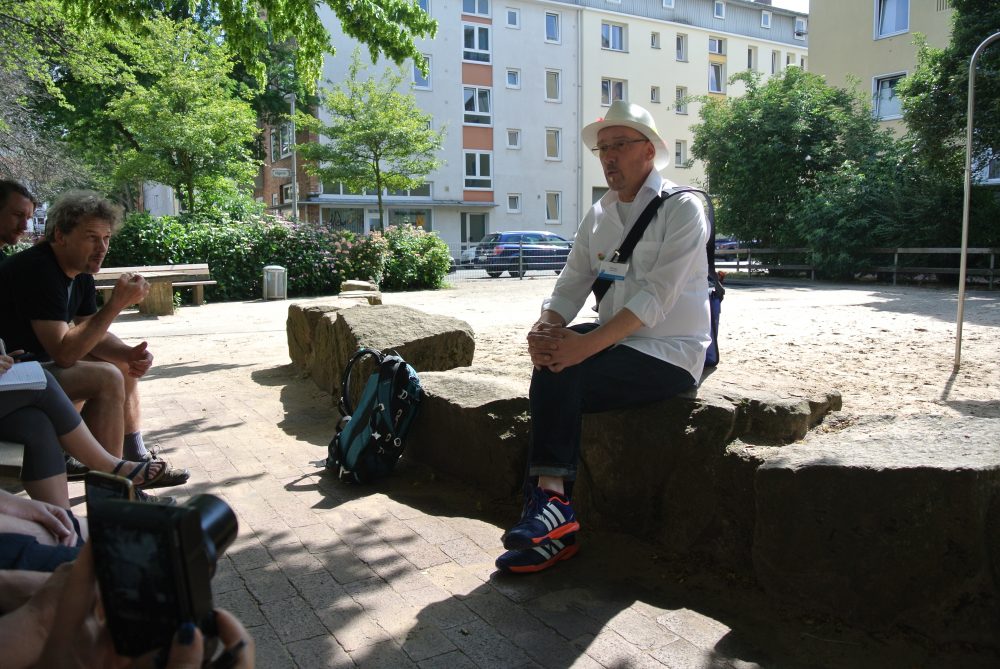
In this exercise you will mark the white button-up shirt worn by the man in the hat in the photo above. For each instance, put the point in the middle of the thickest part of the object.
(666, 284)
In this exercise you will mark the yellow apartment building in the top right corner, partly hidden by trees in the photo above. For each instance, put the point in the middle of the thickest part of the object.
(873, 41)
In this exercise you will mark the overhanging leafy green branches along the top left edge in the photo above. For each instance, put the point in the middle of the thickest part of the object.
(388, 27)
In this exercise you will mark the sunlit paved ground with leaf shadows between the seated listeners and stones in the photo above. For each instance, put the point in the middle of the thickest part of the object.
(401, 574)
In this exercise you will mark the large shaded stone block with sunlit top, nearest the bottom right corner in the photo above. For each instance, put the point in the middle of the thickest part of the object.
(894, 522)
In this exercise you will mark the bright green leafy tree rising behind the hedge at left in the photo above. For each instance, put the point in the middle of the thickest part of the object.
(183, 121)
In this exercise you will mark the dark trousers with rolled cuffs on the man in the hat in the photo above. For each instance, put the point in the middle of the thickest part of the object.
(615, 378)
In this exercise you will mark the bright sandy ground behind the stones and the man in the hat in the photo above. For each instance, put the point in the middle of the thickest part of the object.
(889, 350)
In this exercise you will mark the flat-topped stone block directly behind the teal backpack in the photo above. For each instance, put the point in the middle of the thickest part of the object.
(427, 341)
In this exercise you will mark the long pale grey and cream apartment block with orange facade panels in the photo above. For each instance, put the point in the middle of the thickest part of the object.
(513, 81)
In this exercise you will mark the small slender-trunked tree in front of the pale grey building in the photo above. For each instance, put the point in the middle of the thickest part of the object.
(378, 137)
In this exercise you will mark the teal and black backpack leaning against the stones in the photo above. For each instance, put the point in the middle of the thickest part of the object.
(369, 438)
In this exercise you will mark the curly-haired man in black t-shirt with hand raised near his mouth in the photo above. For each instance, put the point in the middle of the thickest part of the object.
(48, 307)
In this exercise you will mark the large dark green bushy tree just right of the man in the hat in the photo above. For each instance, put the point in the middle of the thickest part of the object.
(766, 150)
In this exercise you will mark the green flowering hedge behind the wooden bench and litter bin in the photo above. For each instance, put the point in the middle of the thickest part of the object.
(318, 258)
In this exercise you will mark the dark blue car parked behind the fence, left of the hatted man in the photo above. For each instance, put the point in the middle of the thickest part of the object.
(518, 251)
